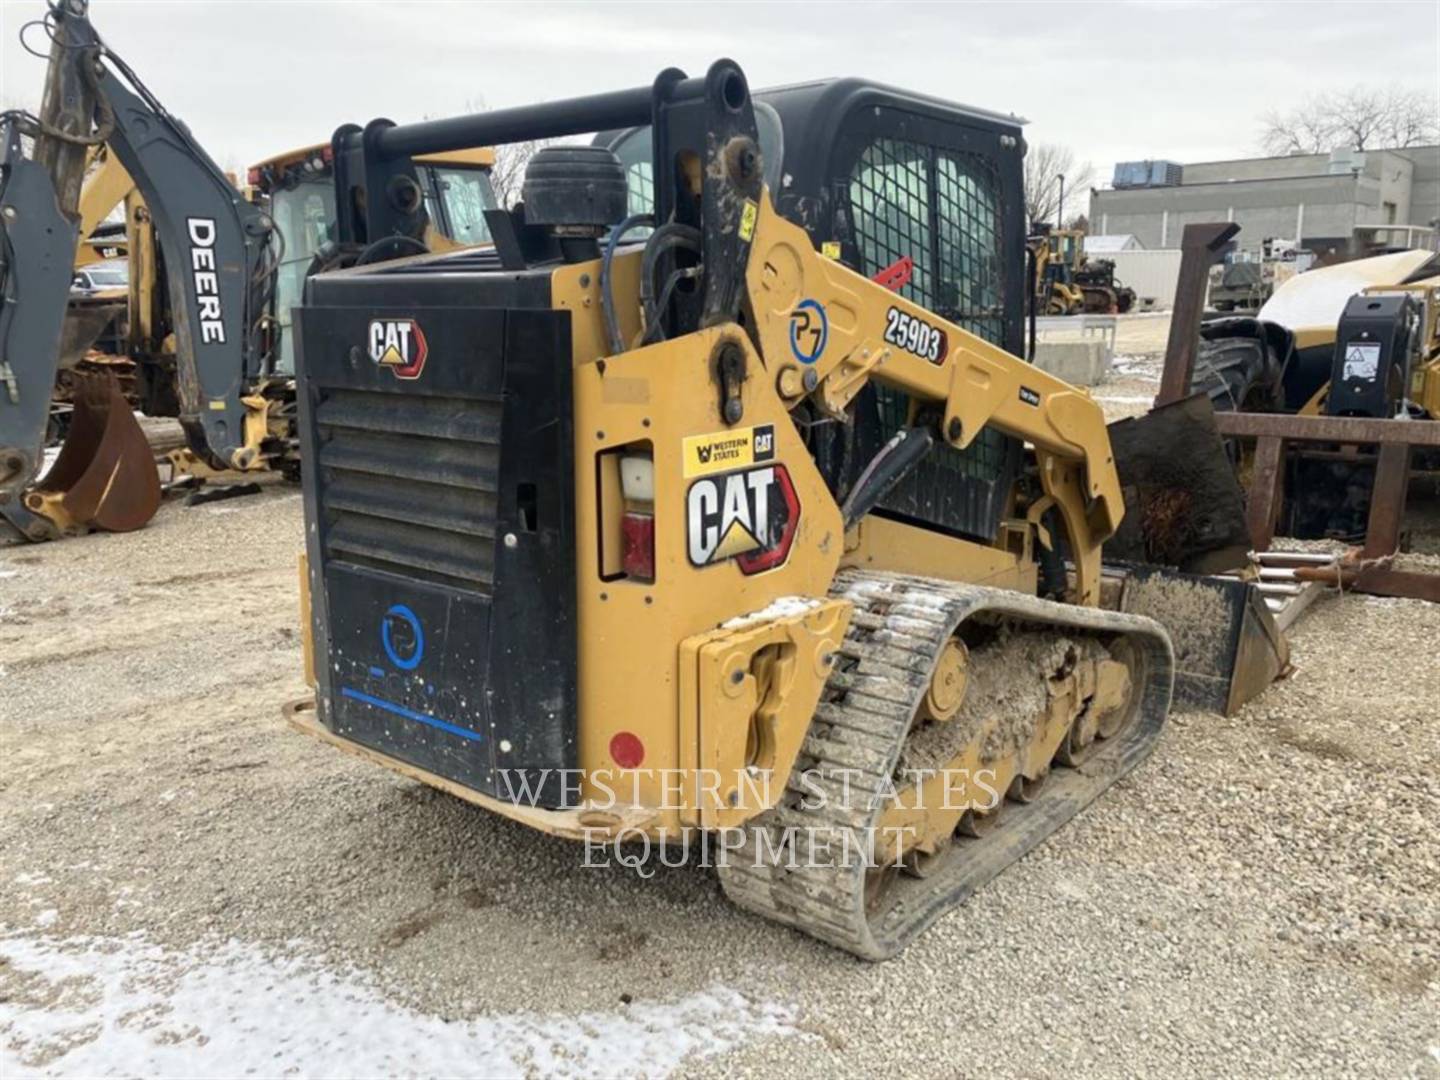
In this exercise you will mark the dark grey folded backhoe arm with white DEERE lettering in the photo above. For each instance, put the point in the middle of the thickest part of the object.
(217, 244)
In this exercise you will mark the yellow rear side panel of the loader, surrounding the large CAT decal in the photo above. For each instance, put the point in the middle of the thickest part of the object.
(663, 398)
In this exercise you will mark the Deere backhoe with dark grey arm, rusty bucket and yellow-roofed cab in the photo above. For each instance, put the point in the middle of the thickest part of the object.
(210, 290)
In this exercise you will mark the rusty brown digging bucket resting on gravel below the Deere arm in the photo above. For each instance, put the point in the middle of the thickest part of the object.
(106, 476)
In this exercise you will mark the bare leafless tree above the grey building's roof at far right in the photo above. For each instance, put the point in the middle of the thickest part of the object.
(1356, 119)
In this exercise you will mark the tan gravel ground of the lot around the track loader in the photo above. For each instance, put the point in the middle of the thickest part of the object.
(1262, 895)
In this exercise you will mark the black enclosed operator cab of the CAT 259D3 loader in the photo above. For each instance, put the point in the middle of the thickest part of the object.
(878, 175)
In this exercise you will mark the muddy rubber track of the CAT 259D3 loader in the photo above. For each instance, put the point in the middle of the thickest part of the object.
(870, 714)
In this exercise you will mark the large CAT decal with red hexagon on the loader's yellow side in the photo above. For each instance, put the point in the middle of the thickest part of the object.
(748, 516)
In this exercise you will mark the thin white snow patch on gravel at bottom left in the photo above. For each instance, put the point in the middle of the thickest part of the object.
(126, 1007)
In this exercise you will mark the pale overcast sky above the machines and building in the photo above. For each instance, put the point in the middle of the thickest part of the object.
(1115, 81)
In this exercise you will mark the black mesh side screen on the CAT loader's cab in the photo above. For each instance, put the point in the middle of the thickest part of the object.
(942, 210)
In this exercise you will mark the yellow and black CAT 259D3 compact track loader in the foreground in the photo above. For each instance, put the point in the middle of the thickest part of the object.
(663, 518)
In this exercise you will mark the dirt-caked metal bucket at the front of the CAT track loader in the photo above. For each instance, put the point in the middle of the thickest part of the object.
(1228, 646)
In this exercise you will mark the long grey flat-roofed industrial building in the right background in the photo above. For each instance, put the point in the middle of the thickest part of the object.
(1320, 199)
